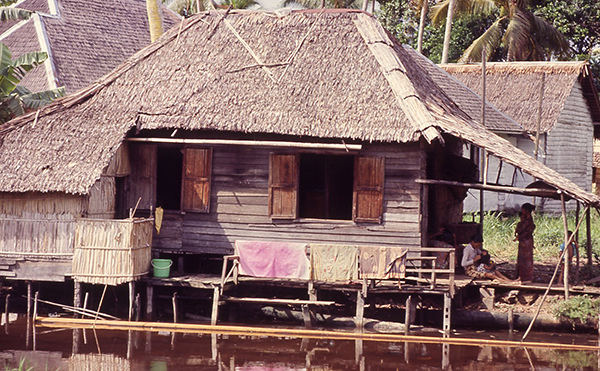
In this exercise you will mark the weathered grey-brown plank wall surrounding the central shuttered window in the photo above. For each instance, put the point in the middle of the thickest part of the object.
(240, 205)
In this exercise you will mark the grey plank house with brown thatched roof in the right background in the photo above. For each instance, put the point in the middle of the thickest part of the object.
(557, 105)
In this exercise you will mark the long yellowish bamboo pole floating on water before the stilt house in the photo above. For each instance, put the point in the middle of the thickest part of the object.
(58, 322)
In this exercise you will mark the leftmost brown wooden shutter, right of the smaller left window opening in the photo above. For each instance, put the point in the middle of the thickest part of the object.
(197, 170)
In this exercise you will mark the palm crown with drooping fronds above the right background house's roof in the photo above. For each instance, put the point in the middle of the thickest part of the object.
(525, 36)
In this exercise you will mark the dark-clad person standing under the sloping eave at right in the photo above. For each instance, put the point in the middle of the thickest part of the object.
(524, 234)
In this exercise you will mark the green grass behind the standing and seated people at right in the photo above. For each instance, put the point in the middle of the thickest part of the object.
(499, 232)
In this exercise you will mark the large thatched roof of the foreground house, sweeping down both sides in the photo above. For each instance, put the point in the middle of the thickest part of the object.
(319, 74)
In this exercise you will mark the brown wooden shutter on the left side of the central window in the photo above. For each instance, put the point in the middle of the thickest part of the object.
(283, 186)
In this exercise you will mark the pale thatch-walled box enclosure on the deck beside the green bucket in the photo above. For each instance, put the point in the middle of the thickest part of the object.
(112, 251)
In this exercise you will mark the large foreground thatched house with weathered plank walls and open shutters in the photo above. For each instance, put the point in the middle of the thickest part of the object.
(311, 126)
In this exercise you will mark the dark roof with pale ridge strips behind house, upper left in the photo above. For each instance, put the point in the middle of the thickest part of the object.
(84, 39)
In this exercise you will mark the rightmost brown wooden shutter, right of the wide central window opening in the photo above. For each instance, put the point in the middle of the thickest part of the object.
(368, 189)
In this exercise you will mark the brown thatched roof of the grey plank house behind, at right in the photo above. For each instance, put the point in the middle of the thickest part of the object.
(515, 87)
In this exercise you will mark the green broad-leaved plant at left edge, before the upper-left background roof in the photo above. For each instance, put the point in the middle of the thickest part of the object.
(15, 100)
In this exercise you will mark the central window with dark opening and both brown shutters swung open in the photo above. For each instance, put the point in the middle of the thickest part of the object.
(342, 187)
